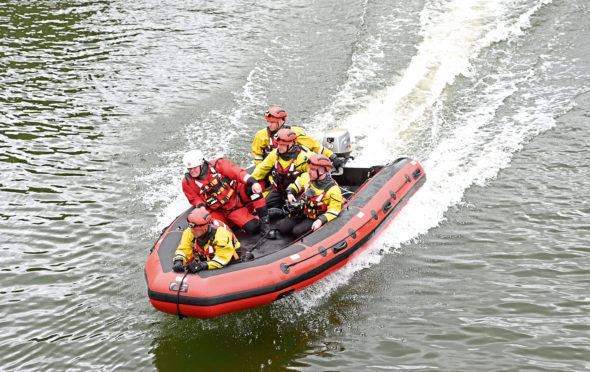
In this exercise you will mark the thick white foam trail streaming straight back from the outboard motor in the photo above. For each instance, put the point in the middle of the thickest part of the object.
(453, 33)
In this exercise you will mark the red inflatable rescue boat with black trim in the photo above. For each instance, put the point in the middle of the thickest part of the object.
(373, 197)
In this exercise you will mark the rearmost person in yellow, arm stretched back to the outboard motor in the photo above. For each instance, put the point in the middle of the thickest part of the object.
(264, 140)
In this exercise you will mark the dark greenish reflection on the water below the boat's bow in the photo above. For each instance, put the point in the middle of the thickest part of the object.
(273, 337)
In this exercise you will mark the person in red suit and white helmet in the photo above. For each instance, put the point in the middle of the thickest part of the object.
(221, 186)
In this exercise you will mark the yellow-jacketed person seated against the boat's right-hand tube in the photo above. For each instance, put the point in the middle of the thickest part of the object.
(320, 198)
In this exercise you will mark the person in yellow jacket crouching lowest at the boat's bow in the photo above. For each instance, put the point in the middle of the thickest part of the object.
(206, 244)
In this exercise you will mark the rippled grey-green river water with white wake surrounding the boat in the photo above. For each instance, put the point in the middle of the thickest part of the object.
(487, 267)
